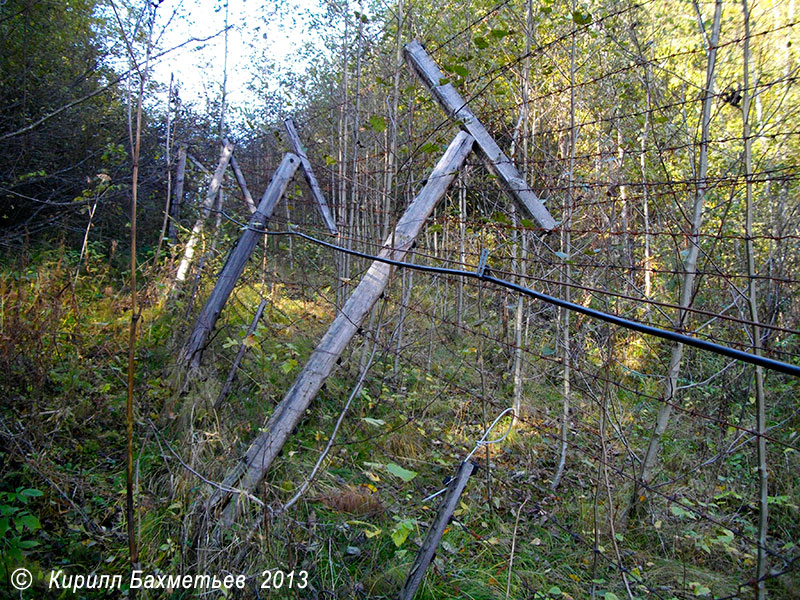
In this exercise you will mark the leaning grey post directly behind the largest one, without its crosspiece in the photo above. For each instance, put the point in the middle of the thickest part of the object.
(236, 261)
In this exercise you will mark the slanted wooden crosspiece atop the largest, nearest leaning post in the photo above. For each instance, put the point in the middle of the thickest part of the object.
(494, 158)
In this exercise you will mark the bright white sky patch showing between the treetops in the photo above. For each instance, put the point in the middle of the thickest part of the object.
(256, 26)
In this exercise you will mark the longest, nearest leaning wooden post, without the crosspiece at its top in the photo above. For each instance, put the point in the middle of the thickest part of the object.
(253, 467)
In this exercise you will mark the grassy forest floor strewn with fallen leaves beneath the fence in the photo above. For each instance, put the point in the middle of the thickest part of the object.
(355, 532)
